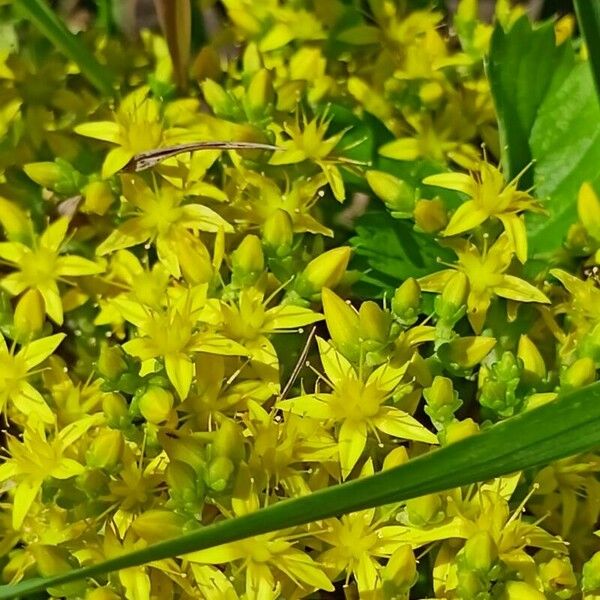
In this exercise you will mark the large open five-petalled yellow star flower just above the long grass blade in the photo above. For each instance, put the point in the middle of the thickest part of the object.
(357, 406)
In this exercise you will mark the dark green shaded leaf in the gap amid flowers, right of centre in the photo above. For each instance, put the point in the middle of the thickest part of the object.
(392, 248)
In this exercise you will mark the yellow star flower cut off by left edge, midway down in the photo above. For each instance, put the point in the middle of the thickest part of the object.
(16, 368)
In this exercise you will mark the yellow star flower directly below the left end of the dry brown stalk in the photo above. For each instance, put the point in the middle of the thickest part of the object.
(162, 218)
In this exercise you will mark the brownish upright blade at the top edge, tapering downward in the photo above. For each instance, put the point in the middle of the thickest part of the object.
(175, 18)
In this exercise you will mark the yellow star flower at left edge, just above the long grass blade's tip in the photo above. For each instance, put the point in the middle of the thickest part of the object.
(36, 459)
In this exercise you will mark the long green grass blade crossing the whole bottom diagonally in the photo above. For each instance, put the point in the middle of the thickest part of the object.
(567, 426)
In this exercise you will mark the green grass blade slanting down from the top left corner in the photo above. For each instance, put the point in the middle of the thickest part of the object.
(42, 16)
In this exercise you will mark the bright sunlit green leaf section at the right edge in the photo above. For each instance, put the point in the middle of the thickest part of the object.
(565, 141)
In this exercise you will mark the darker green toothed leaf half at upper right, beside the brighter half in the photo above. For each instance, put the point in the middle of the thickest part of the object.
(523, 64)
